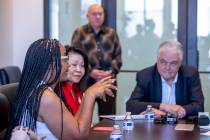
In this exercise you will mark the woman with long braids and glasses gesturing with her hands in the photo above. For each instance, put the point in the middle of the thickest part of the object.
(38, 113)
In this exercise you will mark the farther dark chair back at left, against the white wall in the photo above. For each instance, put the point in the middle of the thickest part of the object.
(9, 74)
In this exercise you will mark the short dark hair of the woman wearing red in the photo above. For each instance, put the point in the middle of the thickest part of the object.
(75, 50)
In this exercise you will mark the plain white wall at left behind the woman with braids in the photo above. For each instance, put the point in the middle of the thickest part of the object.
(21, 23)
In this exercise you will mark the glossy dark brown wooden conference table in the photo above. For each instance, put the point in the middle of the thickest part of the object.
(144, 130)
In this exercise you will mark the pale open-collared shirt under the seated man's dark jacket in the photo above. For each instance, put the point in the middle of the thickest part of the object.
(168, 91)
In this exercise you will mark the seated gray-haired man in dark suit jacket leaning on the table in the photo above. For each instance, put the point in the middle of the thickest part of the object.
(168, 86)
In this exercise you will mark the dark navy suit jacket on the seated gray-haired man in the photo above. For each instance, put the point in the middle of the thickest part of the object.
(148, 90)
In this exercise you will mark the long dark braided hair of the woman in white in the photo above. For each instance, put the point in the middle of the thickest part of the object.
(42, 68)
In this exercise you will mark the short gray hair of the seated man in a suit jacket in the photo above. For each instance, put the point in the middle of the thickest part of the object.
(172, 45)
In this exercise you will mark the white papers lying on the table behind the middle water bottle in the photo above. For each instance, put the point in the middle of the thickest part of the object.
(121, 117)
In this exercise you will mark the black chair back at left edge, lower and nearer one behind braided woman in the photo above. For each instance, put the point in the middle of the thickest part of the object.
(7, 97)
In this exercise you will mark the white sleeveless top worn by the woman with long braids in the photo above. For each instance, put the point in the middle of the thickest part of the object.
(43, 130)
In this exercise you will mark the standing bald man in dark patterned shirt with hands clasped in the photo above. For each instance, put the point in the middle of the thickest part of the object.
(101, 43)
